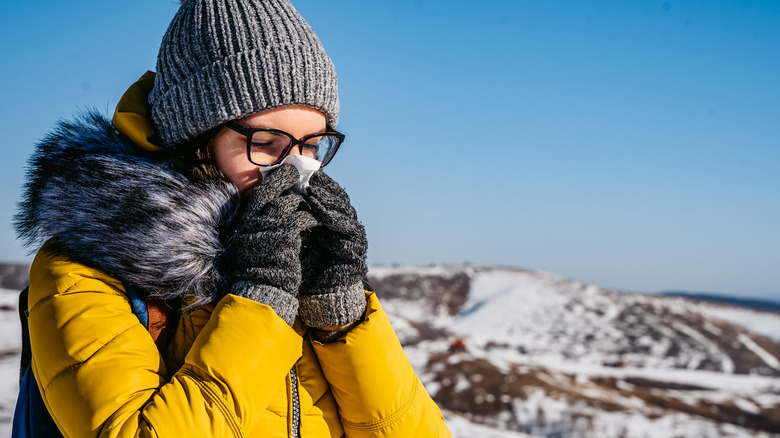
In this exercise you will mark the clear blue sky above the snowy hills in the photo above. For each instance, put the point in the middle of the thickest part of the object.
(633, 145)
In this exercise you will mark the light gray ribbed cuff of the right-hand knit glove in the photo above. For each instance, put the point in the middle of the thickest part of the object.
(333, 307)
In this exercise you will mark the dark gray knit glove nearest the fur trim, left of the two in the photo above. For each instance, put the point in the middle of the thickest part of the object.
(267, 243)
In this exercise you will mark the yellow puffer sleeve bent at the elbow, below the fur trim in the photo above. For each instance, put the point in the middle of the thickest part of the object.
(100, 373)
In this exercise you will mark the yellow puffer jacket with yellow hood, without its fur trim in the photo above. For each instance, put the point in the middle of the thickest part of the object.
(234, 369)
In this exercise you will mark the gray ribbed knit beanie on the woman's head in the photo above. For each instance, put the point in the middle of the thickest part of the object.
(222, 60)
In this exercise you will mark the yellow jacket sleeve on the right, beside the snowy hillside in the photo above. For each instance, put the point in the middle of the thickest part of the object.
(378, 392)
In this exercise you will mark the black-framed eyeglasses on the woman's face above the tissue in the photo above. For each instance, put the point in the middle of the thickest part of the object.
(266, 147)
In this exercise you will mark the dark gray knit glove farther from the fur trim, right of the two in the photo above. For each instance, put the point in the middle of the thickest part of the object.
(332, 259)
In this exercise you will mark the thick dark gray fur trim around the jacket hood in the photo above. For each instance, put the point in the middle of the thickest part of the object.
(94, 198)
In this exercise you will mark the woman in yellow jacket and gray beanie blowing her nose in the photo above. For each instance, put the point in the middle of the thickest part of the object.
(184, 199)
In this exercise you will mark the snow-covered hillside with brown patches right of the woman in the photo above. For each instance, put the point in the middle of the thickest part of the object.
(554, 357)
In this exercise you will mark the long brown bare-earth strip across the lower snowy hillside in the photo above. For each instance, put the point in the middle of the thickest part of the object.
(485, 392)
